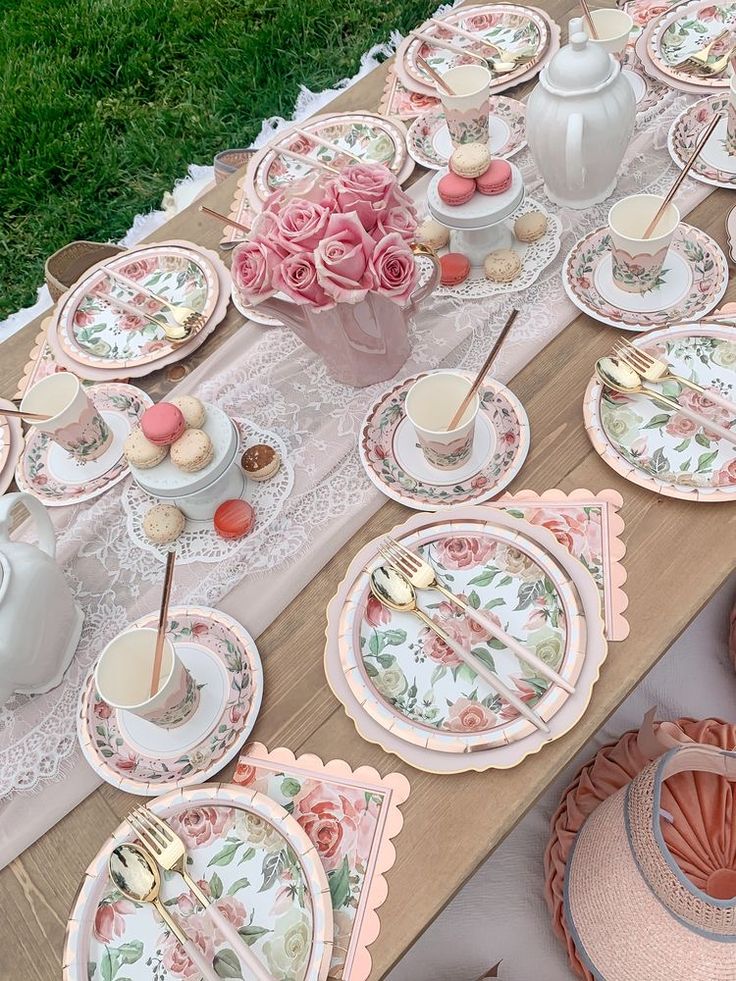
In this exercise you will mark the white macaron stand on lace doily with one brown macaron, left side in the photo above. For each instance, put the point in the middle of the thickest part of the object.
(201, 479)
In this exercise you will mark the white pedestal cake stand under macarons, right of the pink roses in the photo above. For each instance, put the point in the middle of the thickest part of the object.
(480, 226)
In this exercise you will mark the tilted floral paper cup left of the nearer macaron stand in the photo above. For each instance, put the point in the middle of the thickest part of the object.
(74, 423)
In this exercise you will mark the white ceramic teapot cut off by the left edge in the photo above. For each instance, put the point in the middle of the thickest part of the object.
(40, 623)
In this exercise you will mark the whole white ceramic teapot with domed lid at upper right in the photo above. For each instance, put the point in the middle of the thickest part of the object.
(579, 122)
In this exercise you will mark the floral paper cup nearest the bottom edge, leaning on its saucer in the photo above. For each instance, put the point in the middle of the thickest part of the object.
(123, 674)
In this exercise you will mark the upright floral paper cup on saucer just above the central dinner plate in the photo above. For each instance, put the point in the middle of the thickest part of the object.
(431, 402)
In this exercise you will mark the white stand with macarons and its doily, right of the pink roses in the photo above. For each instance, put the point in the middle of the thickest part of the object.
(490, 237)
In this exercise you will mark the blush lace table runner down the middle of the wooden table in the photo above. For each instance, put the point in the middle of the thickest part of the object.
(267, 376)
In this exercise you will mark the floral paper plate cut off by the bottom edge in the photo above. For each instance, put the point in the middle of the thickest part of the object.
(251, 856)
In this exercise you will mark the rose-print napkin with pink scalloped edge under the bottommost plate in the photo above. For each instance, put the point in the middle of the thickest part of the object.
(351, 817)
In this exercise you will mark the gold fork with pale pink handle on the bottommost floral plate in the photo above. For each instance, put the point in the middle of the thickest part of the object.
(169, 851)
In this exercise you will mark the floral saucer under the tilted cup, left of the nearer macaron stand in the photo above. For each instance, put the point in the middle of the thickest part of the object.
(56, 478)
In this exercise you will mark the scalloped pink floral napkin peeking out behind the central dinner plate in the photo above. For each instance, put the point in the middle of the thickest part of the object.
(589, 526)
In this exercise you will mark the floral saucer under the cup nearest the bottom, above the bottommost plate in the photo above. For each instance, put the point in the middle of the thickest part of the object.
(146, 759)
